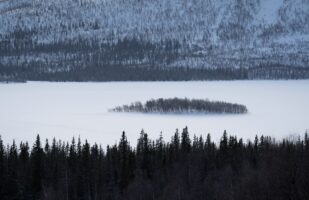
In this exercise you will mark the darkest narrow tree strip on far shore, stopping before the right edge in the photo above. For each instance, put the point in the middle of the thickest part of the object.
(36, 72)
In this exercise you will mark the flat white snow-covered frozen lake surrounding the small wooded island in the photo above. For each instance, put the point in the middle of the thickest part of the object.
(64, 110)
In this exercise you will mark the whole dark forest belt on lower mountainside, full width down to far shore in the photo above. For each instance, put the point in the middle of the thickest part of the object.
(127, 59)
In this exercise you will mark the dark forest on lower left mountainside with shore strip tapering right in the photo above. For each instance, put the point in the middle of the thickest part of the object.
(127, 59)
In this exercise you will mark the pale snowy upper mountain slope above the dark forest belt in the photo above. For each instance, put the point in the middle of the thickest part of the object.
(197, 20)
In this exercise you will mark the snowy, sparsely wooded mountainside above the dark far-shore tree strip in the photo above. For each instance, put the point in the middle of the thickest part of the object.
(204, 34)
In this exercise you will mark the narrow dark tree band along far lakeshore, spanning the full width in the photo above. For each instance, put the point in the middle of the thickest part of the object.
(68, 71)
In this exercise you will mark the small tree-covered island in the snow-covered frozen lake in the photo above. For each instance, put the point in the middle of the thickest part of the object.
(183, 106)
